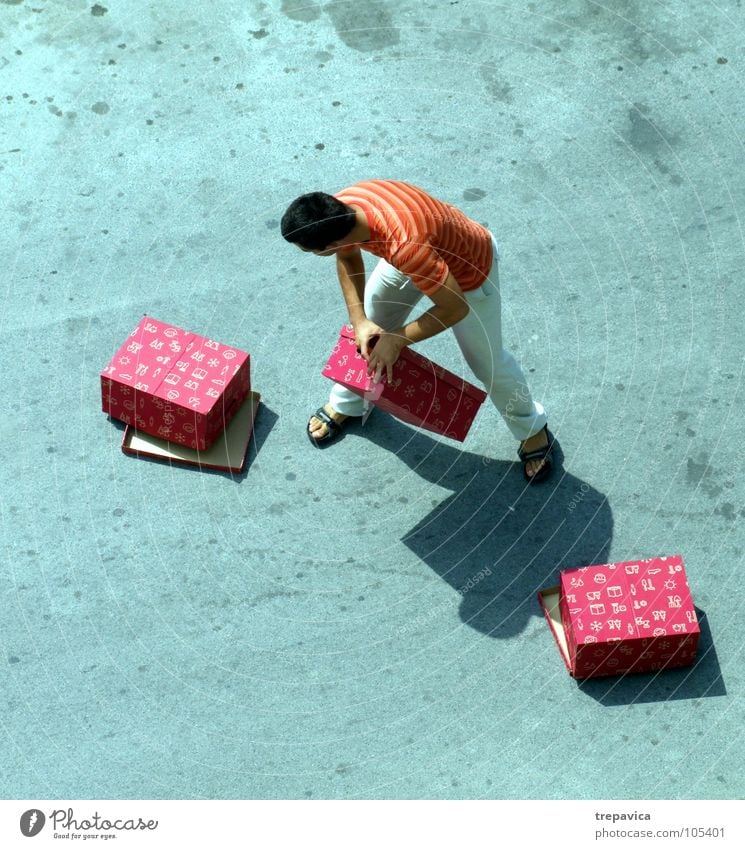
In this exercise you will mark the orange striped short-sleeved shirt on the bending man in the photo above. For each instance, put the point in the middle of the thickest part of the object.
(421, 236)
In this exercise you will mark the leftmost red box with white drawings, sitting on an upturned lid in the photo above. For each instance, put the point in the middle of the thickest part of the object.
(174, 384)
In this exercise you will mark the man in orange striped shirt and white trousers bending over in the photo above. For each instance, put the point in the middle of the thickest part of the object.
(426, 247)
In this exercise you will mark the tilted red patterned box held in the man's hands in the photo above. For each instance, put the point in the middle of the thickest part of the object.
(421, 392)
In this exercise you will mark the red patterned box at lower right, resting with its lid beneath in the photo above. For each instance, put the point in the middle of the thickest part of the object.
(615, 618)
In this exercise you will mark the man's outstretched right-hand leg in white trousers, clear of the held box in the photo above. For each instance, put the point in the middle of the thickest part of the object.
(479, 336)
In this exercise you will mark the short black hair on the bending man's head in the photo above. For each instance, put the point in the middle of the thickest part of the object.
(315, 220)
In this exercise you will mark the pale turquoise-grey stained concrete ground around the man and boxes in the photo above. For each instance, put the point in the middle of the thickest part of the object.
(298, 631)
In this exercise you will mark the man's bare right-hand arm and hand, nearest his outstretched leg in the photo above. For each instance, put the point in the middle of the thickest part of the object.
(449, 308)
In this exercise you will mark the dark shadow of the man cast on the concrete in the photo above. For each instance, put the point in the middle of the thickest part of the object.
(497, 540)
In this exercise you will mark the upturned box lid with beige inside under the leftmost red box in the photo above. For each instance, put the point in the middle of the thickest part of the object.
(227, 453)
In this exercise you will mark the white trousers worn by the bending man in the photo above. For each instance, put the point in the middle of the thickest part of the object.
(389, 299)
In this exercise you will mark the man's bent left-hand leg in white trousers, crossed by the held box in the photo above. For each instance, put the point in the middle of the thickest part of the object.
(389, 298)
